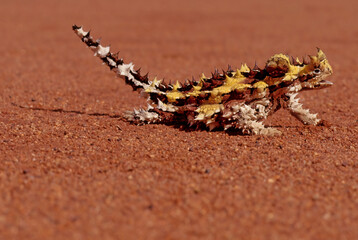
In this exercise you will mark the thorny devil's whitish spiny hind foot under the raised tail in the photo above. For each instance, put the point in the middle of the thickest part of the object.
(142, 116)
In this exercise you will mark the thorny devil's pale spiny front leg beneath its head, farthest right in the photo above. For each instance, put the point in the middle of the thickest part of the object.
(300, 113)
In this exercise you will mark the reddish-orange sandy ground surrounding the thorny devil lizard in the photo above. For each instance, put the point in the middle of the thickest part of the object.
(70, 168)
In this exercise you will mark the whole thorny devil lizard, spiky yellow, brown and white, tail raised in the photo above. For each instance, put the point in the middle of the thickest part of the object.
(238, 100)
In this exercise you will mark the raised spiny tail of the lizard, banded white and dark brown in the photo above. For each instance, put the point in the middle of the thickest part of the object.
(125, 71)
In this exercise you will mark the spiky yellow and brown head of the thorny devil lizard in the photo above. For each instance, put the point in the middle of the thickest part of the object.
(313, 74)
